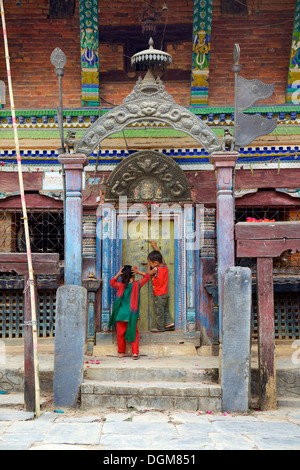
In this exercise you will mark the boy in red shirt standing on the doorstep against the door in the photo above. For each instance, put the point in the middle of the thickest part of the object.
(160, 276)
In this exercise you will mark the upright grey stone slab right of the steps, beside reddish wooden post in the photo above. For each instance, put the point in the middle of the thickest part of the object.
(236, 347)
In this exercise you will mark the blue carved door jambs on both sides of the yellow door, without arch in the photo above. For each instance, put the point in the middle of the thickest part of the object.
(109, 230)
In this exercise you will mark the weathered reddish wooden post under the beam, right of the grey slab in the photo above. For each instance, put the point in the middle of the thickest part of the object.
(266, 339)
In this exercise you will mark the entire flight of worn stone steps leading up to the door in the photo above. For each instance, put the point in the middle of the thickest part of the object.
(170, 375)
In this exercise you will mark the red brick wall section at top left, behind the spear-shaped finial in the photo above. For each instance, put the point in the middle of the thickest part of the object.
(32, 37)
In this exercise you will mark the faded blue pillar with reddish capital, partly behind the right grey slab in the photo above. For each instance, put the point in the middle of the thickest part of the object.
(224, 163)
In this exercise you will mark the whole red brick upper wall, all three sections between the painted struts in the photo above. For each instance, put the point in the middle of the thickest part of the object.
(264, 38)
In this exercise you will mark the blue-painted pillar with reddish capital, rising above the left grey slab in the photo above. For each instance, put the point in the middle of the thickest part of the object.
(73, 165)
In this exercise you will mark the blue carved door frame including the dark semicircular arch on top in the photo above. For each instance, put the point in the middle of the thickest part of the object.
(112, 214)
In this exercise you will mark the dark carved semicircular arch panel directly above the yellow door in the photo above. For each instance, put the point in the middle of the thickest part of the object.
(148, 176)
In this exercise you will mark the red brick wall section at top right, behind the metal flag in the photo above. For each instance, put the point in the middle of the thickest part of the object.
(265, 42)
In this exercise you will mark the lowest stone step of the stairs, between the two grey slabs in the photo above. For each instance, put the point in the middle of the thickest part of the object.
(164, 396)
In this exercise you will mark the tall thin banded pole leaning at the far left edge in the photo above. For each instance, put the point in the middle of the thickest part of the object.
(30, 283)
